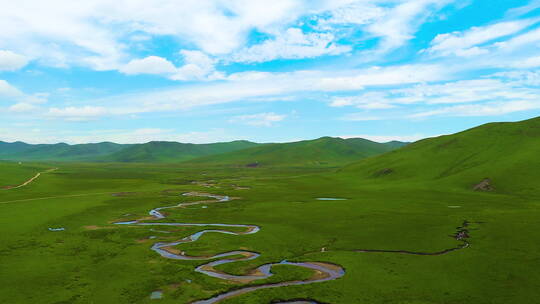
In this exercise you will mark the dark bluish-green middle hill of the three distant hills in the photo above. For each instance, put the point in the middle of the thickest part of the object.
(162, 151)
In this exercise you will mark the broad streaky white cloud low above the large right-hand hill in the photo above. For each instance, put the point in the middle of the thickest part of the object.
(498, 94)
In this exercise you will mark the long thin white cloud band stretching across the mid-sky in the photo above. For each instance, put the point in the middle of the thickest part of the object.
(264, 85)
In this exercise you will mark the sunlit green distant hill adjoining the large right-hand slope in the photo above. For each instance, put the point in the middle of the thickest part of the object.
(325, 151)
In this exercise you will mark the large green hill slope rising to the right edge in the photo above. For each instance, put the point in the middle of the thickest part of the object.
(506, 153)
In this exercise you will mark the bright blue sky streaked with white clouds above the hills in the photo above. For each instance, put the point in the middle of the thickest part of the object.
(281, 70)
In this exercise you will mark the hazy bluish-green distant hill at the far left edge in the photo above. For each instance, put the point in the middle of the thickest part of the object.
(57, 152)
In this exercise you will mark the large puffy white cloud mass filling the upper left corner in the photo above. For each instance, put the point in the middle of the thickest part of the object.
(97, 34)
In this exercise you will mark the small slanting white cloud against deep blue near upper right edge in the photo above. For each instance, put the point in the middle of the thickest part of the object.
(466, 43)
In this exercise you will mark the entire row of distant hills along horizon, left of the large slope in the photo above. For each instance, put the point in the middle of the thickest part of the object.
(323, 151)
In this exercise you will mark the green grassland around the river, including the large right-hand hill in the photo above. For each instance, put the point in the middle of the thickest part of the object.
(414, 206)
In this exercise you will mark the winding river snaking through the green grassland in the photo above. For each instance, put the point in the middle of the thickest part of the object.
(324, 271)
